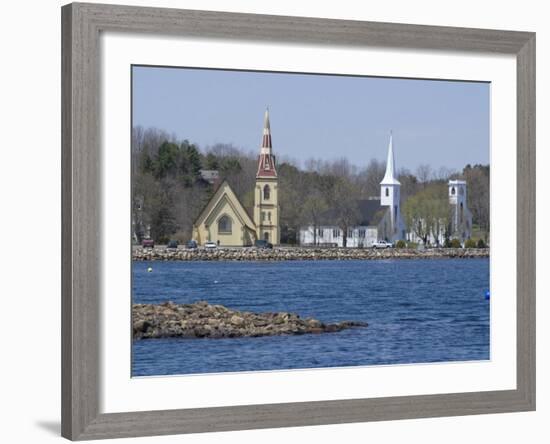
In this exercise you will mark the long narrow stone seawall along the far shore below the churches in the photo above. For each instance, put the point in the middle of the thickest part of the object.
(301, 253)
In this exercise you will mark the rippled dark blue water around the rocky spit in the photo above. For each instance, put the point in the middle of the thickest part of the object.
(418, 311)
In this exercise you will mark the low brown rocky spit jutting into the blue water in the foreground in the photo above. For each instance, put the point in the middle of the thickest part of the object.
(204, 320)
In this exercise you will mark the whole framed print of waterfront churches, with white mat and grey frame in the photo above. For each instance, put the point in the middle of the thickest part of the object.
(278, 221)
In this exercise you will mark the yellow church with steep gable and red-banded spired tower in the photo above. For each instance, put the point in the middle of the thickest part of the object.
(226, 222)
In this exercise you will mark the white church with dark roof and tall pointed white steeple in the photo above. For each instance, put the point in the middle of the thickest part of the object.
(379, 218)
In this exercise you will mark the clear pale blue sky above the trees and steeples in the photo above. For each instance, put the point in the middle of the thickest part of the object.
(440, 123)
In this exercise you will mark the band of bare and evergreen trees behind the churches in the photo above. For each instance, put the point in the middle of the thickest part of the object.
(169, 192)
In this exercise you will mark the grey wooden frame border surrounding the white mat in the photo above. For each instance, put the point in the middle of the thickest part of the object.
(81, 167)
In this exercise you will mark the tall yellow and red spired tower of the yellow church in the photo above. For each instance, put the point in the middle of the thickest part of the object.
(266, 192)
